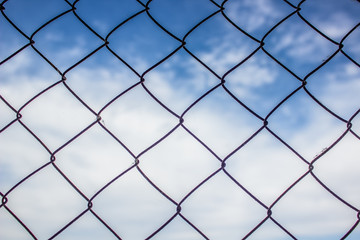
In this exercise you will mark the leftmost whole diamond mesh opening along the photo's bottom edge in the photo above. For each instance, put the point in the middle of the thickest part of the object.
(42, 200)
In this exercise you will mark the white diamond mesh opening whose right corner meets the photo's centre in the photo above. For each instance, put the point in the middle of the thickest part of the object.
(138, 125)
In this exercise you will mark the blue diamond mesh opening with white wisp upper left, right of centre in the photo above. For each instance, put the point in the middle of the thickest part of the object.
(260, 83)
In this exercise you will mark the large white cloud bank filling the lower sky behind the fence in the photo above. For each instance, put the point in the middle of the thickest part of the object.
(179, 162)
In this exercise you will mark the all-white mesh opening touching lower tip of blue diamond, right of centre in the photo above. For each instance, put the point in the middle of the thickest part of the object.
(266, 173)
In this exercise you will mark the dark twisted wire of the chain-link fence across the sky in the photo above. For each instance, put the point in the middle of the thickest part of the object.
(146, 11)
